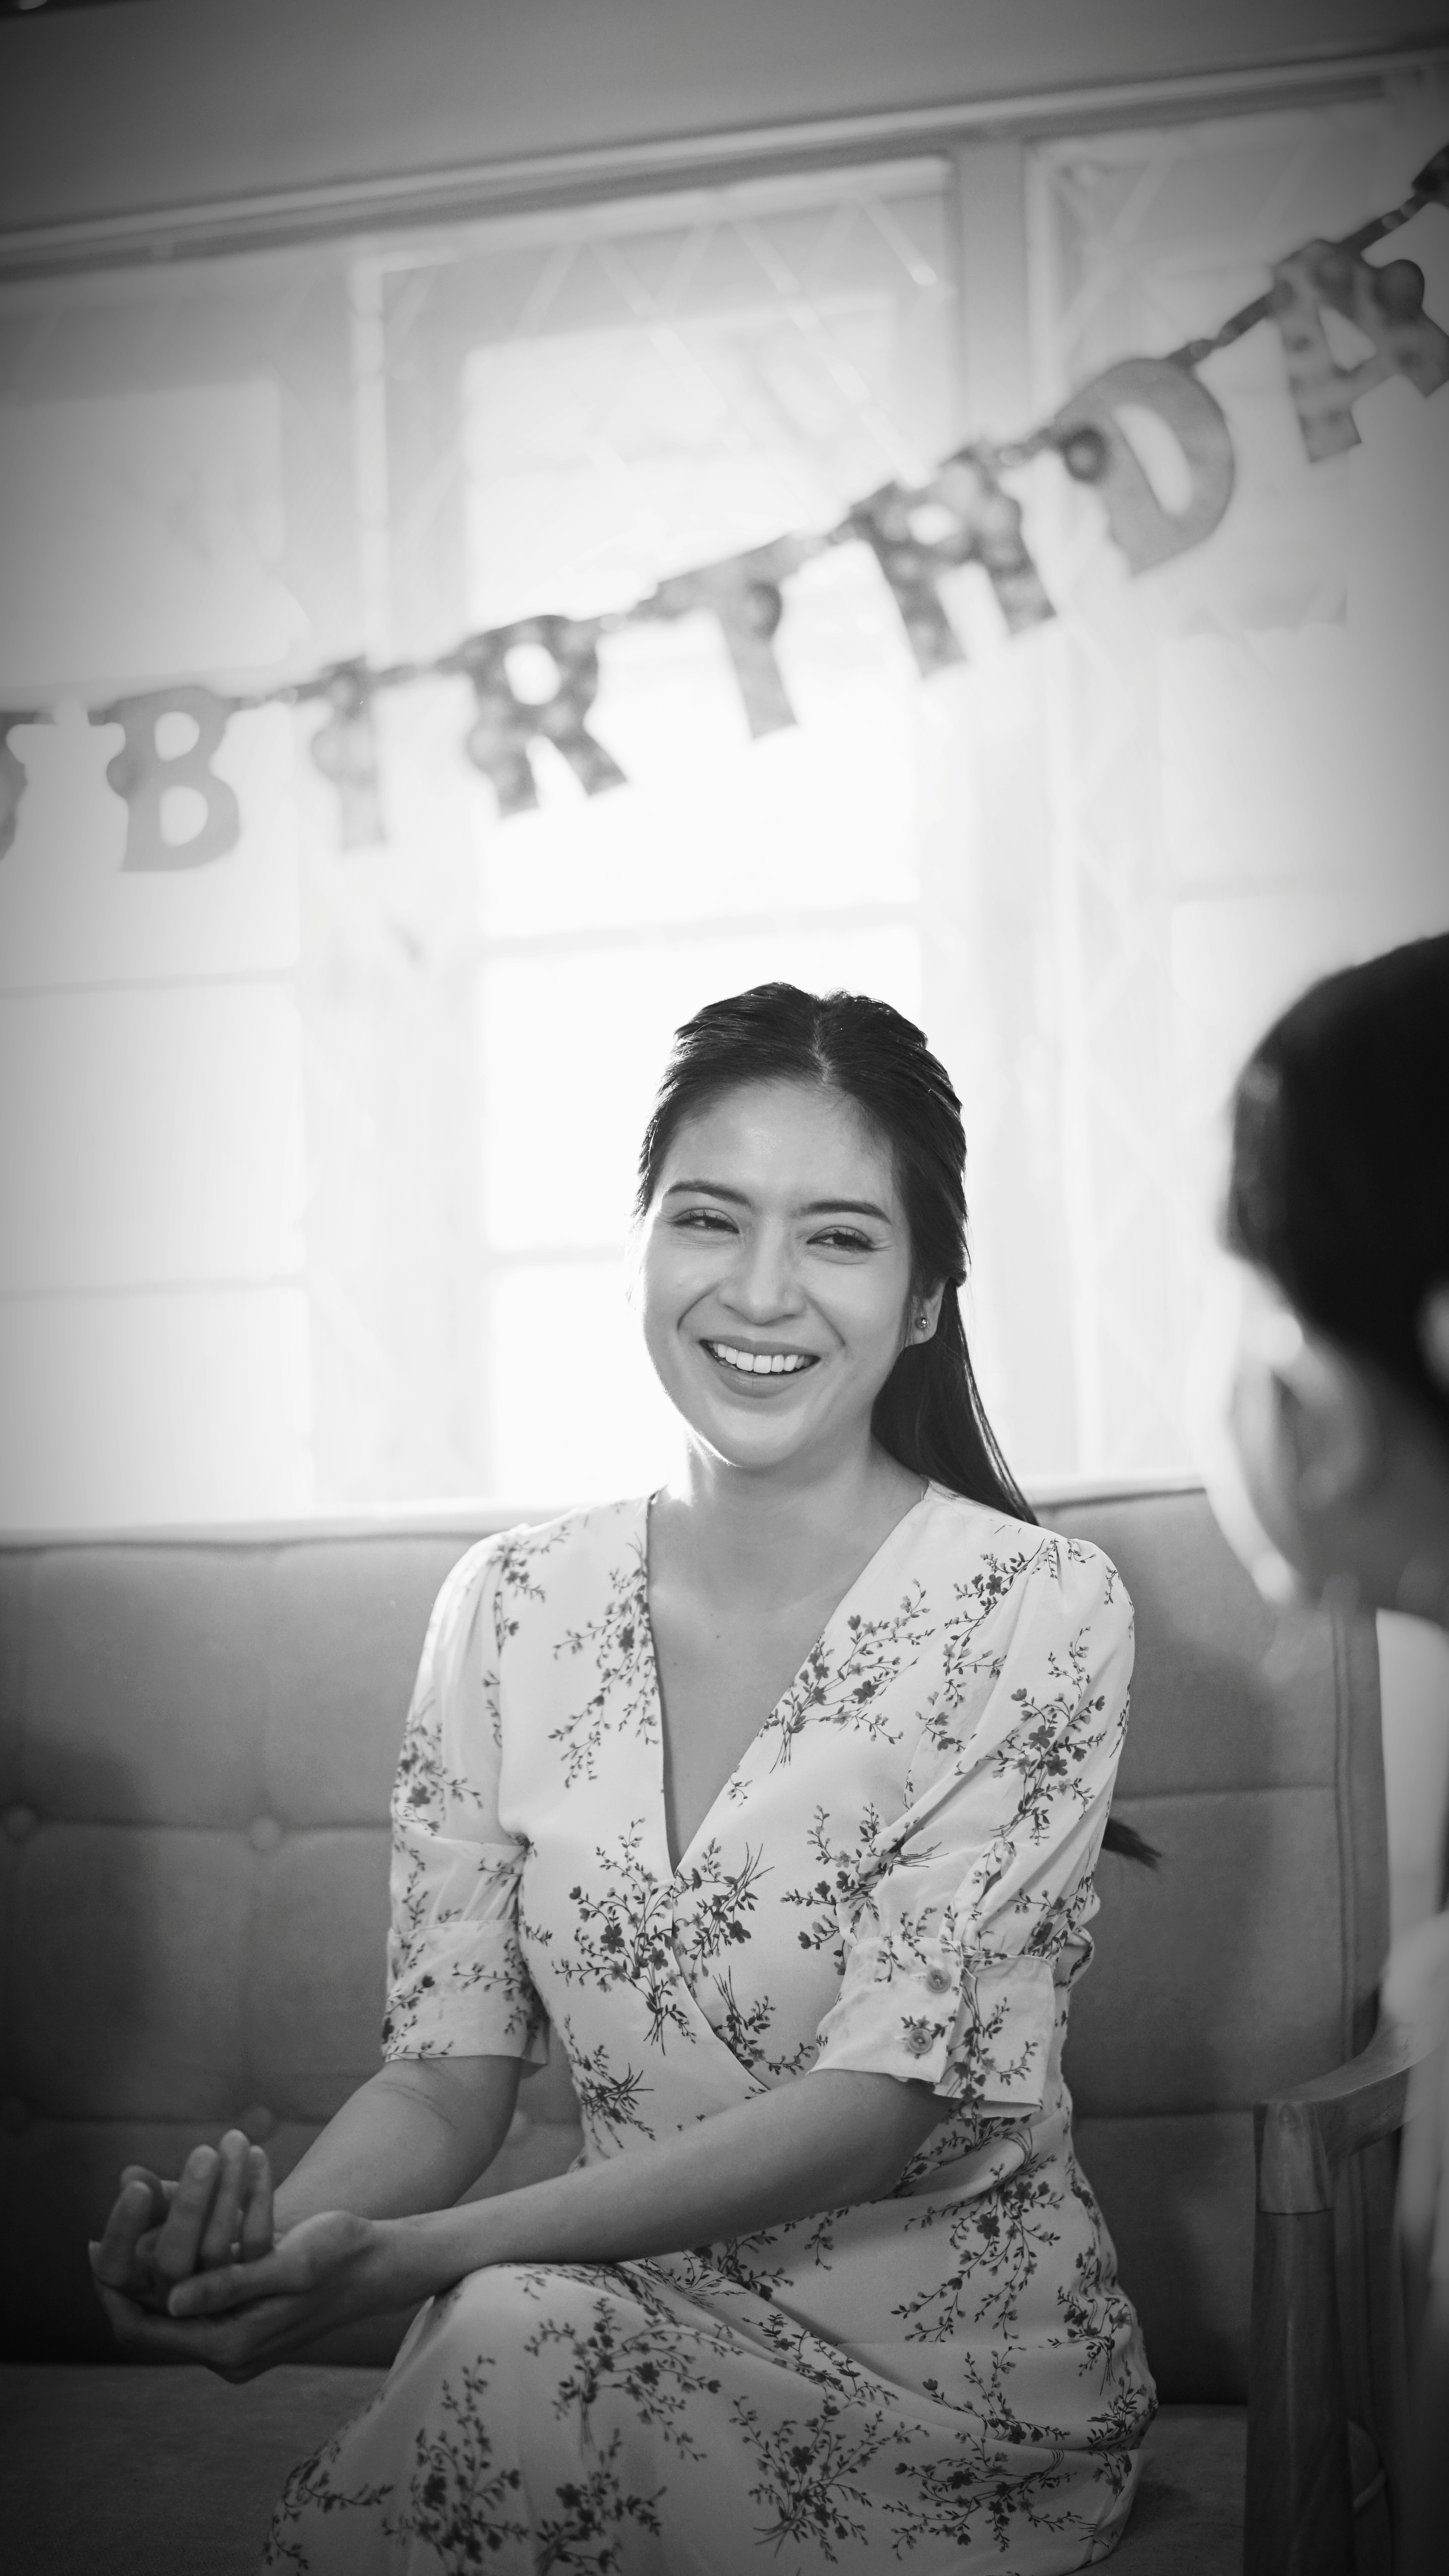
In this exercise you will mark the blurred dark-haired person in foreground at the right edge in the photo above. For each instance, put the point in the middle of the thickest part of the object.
(1332, 1464)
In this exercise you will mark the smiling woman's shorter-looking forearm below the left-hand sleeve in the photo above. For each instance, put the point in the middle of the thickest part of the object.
(411, 2139)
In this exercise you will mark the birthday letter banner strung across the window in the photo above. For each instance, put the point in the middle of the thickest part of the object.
(917, 535)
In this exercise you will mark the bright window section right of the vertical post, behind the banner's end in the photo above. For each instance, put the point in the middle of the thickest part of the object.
(1249, 782)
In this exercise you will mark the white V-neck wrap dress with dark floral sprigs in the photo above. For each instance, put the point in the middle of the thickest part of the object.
(896, 1879)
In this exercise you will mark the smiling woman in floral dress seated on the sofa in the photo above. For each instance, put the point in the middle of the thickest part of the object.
(777, 1794)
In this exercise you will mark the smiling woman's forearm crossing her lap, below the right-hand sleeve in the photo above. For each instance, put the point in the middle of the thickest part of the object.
(813, 2145)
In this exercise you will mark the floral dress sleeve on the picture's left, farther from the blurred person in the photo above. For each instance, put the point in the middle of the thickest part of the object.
(458, 1982)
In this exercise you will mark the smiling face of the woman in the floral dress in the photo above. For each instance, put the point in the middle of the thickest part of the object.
(777, 1276)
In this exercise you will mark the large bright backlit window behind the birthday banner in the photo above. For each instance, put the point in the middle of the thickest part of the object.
(318, 1158)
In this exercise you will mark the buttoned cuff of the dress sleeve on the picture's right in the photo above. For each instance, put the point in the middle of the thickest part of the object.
(971, 2031)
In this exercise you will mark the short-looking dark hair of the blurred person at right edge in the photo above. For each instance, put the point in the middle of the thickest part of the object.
(1339, 1181)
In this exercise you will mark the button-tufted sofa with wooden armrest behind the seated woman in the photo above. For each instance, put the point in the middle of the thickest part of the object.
(197, 1740)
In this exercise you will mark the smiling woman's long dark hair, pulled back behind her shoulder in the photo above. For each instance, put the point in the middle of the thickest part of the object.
(929, 1413)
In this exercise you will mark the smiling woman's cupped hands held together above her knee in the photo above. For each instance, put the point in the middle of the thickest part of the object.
(195, 2268)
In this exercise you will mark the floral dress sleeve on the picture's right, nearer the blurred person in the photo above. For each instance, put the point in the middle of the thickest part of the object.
(958, 1944)
